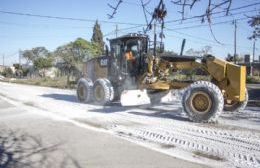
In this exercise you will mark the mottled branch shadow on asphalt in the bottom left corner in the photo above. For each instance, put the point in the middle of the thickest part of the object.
(18, 149)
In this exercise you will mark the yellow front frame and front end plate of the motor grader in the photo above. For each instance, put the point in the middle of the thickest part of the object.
(229, 77)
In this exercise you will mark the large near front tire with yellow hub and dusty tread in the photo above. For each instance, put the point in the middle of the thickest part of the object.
(202, 101)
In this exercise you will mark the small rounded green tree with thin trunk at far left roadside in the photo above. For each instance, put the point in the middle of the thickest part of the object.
(42, 63)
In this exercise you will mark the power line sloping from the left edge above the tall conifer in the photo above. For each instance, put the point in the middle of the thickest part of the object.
(67, 18)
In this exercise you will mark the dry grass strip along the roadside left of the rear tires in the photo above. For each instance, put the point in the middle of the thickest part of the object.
(60, 82)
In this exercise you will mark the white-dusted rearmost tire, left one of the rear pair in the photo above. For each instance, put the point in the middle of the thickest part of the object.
(84, 90)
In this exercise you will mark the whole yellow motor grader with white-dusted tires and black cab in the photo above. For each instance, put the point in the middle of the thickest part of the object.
(131, 74)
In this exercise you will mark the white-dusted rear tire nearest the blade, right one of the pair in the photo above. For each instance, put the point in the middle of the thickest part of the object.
(103, 91)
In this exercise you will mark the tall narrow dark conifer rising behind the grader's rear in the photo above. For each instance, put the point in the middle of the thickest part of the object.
(97, 37)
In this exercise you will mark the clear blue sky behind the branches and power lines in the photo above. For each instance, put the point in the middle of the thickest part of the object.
(23, 32)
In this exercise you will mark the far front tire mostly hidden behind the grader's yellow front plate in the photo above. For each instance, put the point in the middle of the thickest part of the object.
(236, 106)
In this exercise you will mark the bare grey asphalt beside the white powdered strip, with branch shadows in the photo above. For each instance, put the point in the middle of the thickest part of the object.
(28, 139)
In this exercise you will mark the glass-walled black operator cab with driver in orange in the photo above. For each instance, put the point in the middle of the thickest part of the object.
(127, 56)
